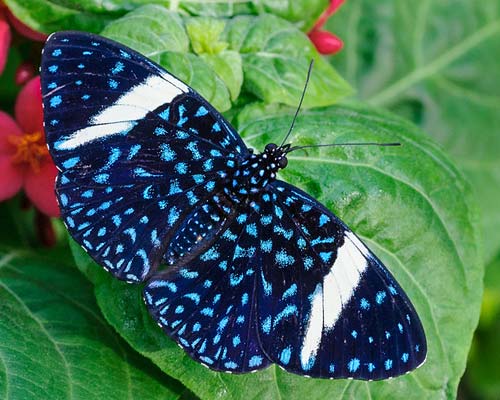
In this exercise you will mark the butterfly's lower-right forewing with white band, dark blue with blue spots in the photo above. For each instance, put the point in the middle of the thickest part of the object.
(327, 306)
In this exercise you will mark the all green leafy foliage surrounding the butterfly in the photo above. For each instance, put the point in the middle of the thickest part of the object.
(422, 73)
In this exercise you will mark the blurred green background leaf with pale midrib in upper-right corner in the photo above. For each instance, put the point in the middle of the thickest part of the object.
(433, 61)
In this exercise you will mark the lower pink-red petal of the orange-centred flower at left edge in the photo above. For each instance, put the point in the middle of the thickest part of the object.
(40, 188)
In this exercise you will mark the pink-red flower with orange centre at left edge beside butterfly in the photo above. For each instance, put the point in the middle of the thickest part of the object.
(25, 162)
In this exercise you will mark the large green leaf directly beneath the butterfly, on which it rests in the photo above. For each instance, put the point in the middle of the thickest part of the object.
(389, 196)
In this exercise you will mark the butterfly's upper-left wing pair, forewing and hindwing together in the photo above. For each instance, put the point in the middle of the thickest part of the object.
(136, 148)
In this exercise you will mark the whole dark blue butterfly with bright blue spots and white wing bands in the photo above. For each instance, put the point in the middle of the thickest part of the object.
(241, 269)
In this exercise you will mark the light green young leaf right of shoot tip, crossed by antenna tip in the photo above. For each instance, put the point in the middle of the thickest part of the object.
(276, 56)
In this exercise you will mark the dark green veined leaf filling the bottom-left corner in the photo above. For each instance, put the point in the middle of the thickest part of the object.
(55, 343)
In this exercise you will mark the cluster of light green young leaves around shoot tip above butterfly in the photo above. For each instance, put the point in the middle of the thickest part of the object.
(270, 53)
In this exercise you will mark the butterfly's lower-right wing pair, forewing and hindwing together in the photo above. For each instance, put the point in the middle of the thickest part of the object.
(289, 283)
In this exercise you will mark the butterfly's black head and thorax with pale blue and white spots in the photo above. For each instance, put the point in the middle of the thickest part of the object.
(258, 170)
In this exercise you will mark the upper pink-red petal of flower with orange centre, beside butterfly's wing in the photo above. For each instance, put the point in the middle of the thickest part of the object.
(28, 109)
